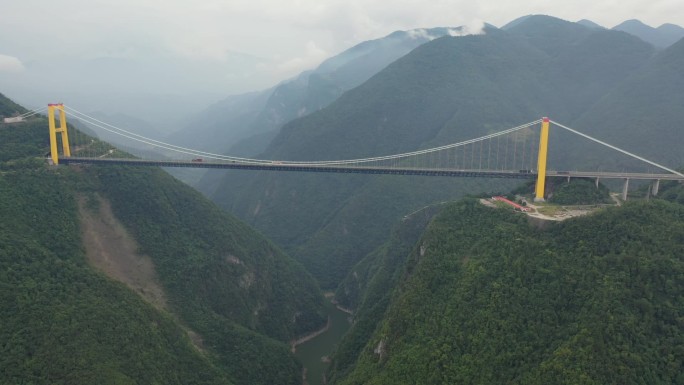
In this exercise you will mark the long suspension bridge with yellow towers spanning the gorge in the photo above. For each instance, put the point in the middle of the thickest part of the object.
(519, 152)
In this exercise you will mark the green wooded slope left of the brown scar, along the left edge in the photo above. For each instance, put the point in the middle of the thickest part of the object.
(63, 323)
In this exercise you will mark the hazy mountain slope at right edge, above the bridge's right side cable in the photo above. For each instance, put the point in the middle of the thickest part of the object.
(643, 114)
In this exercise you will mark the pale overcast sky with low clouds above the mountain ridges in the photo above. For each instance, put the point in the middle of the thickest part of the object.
(226, 47)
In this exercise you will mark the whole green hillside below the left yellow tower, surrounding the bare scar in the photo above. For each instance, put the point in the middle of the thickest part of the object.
(241, 294)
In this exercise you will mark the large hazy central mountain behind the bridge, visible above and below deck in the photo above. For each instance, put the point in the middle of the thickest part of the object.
(450, 89)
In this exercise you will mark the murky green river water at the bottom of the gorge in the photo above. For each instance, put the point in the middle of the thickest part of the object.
(313, 352)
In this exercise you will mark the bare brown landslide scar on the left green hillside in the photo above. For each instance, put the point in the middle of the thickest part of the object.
(112, 250)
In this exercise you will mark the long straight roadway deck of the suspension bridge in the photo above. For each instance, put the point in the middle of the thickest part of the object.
(352, 169)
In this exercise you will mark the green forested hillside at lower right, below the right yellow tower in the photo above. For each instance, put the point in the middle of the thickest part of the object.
(488, 299)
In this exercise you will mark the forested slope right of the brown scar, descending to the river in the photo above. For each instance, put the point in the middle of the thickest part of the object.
(224, 280)
